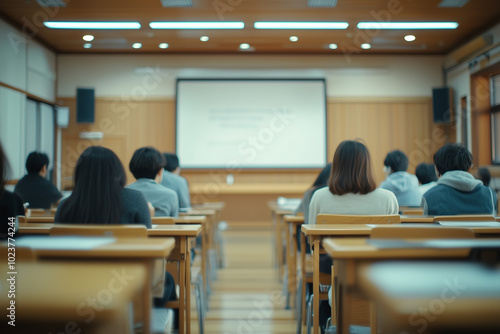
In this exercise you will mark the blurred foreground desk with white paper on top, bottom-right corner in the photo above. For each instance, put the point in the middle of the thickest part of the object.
(455, 296)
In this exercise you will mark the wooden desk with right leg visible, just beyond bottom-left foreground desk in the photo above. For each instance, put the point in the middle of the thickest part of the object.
(140, 251)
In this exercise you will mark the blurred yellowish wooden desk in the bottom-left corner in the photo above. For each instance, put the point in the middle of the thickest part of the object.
(48, 294)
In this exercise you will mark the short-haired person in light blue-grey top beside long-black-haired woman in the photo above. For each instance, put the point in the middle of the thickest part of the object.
(147, 167)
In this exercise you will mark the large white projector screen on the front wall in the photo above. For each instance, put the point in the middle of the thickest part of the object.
(251, 123)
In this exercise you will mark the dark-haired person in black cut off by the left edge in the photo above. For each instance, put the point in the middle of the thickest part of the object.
(10, 204)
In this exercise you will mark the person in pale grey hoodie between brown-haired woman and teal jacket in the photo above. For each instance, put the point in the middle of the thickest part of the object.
(403, 184)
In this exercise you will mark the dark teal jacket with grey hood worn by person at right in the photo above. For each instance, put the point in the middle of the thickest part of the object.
(459, 193)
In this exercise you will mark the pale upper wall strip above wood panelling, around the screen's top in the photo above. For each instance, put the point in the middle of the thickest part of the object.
(131, 76)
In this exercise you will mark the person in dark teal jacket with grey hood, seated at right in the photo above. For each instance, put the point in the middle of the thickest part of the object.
(457, 192)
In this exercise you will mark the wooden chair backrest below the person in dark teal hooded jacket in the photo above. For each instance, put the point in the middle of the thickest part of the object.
(420, 232)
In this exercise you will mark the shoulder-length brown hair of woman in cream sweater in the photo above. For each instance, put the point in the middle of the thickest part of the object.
(352, 170)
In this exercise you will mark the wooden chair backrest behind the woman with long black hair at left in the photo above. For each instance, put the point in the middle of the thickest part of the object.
(128, 231)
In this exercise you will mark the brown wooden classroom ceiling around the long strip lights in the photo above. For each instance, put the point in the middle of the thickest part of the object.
(474, 18)
